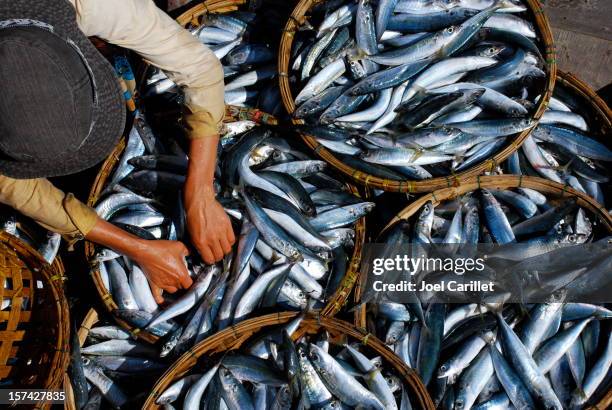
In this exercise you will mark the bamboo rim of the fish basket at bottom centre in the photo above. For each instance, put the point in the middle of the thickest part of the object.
(232, 338)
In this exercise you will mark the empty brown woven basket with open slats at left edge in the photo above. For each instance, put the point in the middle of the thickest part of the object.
(34, 348)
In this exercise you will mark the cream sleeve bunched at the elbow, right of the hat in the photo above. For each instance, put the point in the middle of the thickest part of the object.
(140, 26)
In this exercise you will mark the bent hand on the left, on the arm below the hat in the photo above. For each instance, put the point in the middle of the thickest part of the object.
(163, 263)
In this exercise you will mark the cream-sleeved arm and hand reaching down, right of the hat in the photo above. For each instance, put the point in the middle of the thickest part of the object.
(140, 26)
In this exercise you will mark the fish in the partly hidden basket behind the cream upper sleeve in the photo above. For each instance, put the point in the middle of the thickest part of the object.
(249, 66)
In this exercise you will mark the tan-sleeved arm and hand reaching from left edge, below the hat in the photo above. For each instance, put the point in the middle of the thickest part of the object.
(39, 199)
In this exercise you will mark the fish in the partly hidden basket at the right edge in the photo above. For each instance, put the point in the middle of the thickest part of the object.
(562, 148)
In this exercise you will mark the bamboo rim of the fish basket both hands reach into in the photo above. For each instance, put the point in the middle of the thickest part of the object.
(333, 306)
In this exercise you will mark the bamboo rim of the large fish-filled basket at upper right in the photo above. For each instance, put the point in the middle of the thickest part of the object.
(299, 17)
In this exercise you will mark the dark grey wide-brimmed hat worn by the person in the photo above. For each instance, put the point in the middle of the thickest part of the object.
(61, 107)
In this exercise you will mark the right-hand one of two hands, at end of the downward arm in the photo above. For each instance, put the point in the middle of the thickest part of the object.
(208, 225)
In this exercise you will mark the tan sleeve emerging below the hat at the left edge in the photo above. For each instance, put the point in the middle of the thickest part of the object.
(40, 200)
